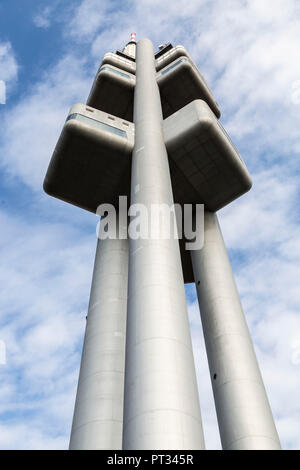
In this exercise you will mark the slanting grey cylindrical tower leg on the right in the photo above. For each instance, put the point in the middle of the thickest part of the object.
(243, 411)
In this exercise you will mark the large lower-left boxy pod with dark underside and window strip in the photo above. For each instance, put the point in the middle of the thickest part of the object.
(91, 165)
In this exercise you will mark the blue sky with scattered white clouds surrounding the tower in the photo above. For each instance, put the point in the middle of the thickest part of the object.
(248, 51)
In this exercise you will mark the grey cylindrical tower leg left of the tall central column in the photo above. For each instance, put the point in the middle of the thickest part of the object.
(98, 415)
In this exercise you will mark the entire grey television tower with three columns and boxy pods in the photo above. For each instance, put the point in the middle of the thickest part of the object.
(150, 131)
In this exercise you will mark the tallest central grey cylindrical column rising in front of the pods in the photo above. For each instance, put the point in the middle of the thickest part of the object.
(161, 404)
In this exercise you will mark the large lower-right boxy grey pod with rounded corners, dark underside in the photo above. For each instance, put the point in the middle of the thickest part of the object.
(204, 155)
